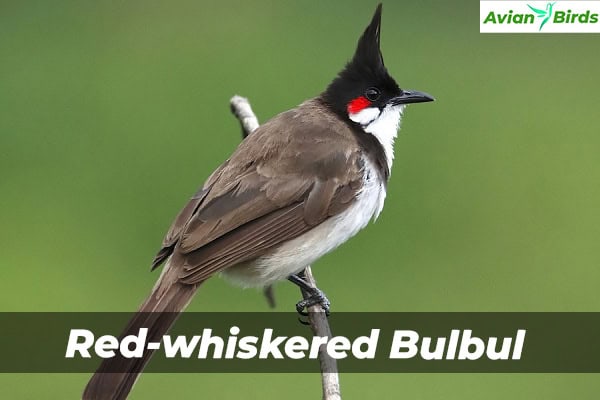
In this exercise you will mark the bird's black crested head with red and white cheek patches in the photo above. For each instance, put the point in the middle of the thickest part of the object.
(364, 92)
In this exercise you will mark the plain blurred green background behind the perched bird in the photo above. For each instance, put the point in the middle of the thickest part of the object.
(112, 113)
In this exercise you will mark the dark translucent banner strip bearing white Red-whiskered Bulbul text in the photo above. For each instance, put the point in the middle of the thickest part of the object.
(277, 342)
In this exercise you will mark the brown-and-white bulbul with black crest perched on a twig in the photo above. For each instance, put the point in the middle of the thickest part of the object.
(296, 188)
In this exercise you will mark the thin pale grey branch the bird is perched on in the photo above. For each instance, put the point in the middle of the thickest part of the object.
(240, 107)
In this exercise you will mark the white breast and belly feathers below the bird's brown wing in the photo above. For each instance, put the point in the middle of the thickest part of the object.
(294, 255)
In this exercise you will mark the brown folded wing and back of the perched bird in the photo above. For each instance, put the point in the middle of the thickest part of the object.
(253, 203)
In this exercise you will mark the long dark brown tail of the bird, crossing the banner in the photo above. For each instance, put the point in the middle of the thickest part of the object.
(168, 299)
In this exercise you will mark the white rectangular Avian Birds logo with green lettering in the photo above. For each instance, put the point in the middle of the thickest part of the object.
(534, 17)
